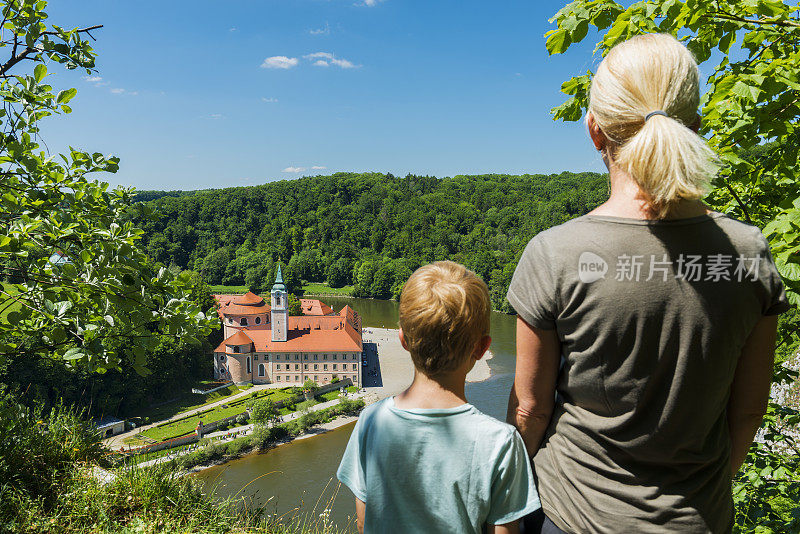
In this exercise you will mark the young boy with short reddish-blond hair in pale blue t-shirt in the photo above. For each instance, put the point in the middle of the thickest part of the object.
(426, 460)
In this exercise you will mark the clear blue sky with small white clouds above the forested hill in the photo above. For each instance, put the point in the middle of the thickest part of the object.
(209, 94)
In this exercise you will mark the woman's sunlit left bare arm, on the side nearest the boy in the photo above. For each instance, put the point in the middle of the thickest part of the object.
(532, 398)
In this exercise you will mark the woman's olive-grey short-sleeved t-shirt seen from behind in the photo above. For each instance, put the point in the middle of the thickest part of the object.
(652, 317)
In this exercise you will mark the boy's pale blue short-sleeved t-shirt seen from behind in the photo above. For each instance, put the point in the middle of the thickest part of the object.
(442, 470)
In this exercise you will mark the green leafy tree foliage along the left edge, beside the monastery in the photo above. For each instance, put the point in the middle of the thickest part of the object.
(80, 286)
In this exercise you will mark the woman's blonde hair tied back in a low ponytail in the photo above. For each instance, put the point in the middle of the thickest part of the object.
(661, 153)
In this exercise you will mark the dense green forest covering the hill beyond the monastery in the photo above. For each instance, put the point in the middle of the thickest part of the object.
(369, 230)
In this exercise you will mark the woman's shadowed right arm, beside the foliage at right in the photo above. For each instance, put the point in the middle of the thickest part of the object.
(750, 389)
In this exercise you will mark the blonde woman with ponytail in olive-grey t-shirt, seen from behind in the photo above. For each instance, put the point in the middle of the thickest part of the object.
(646, 328)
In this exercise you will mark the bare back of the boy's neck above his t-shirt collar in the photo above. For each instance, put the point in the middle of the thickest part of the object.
(443, 391)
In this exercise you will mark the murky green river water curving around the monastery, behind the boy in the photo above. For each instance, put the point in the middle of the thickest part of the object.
(302, 473)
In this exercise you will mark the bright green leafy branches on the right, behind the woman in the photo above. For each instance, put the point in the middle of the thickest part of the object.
(751, 50)
